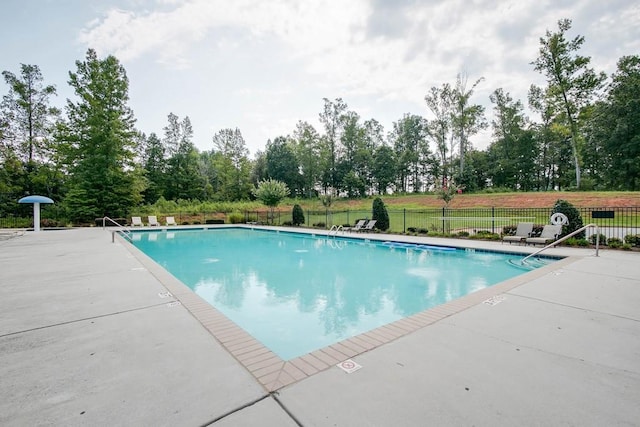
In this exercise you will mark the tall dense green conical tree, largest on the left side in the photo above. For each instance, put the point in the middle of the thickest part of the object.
(97, 142)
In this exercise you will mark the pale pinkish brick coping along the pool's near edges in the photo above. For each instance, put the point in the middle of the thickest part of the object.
(274, 373)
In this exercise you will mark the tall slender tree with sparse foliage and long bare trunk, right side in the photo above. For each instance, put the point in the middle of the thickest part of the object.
(571, 83)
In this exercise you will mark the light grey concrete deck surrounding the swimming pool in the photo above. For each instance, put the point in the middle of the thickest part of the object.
(89, 336)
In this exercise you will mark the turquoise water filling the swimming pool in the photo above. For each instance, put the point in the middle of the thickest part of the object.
(296, 293)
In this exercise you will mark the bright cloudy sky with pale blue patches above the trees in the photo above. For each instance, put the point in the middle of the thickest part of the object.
(262, 66)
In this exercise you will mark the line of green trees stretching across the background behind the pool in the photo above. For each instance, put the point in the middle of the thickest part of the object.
(92, 159)
